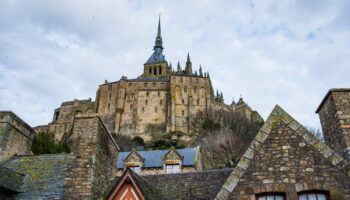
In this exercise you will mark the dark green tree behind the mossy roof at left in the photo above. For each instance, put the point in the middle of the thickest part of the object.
(44, 143)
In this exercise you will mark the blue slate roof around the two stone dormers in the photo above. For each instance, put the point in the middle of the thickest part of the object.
(154, 158)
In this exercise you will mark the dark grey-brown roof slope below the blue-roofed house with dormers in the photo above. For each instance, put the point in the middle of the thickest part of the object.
(192, 185)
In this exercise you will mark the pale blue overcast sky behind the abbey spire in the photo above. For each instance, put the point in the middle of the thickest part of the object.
(270, 52)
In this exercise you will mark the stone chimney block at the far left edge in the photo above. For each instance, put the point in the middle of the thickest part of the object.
(16, 136)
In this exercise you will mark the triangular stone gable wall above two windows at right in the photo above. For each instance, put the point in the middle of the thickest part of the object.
(286, 163)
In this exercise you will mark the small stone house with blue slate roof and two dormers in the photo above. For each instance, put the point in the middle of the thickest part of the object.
(160, 161)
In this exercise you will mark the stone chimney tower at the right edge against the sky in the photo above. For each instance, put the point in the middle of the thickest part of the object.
(334, 113)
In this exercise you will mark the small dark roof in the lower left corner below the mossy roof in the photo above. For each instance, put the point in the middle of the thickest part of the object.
(10, 179)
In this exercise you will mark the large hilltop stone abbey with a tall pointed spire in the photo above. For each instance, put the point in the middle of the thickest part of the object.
(161, 97)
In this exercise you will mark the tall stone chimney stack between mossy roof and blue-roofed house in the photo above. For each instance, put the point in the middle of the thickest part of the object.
(94, 151)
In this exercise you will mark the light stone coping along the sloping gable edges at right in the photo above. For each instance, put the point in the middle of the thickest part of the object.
(279, 115)
